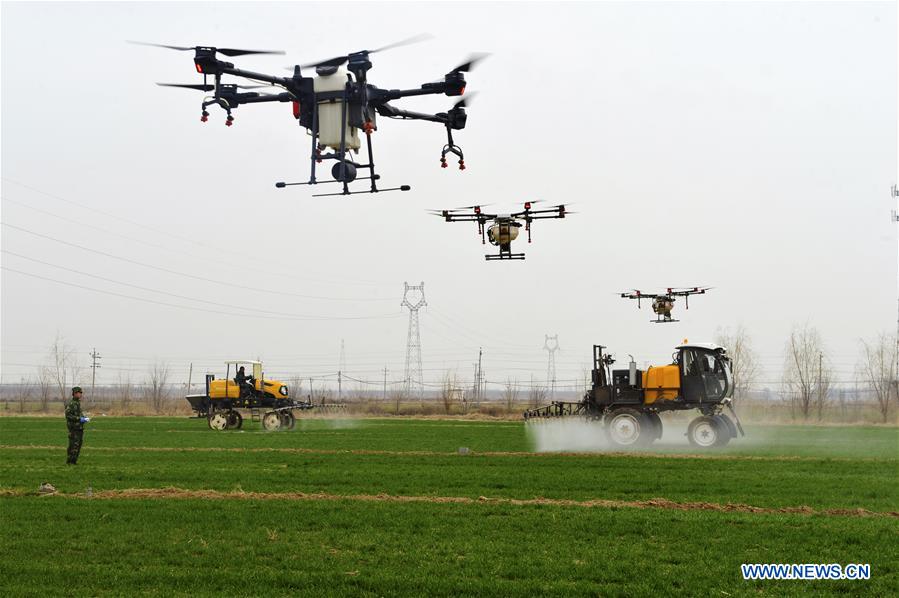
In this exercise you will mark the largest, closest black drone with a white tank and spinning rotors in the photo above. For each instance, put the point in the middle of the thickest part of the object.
(333, 105)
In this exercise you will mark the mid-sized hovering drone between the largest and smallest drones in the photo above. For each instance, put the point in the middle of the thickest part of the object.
(505, 227)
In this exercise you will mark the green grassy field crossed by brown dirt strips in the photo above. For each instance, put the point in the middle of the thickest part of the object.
(393, 507)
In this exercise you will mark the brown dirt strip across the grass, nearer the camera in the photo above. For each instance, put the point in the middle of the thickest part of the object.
(653, 503)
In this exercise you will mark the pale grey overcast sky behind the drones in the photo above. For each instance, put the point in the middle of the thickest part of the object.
(745, 146)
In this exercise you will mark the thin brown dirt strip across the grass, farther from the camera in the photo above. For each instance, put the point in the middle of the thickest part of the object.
(311, 451)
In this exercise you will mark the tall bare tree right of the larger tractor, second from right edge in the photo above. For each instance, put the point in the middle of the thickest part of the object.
(806, 377)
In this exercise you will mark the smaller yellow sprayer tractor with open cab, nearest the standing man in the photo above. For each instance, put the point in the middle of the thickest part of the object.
(267, 401)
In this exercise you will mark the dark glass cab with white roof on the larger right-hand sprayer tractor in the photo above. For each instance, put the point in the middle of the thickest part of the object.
(705, 372)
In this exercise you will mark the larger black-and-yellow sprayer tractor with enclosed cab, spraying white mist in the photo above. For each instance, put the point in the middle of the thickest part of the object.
(628, 402)
